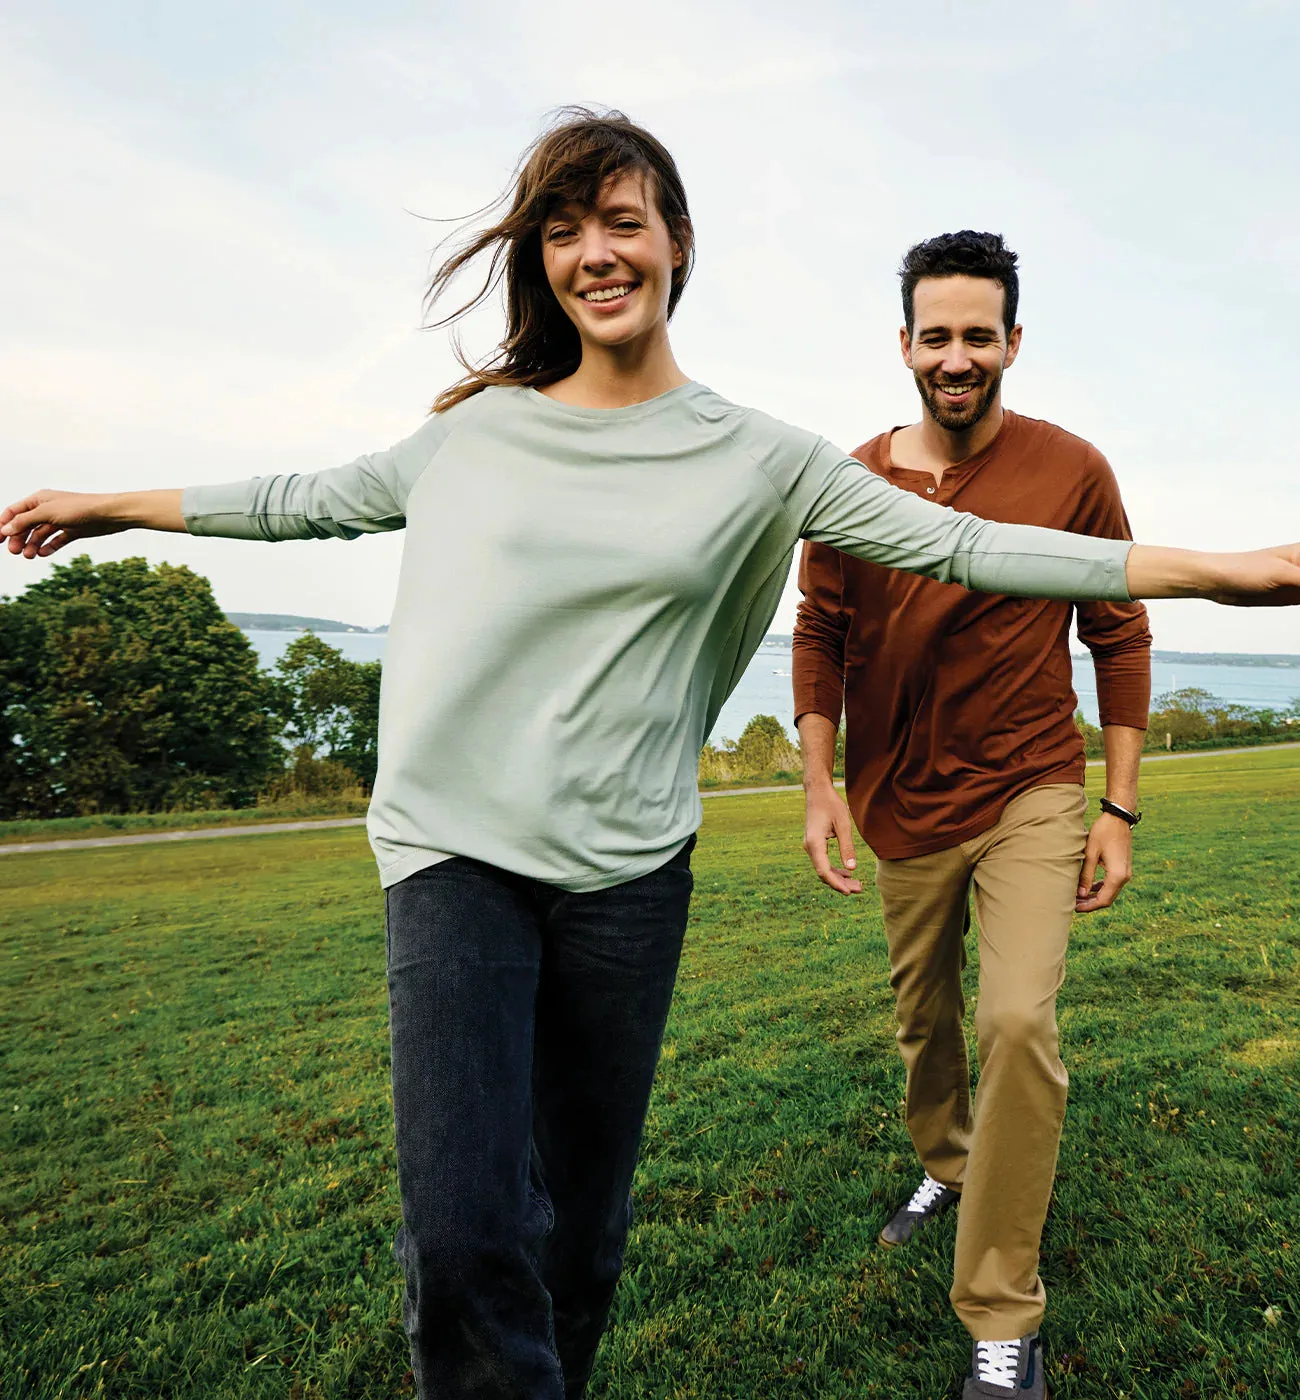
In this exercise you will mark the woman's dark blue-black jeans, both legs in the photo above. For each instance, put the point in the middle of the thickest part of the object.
(527, 1025)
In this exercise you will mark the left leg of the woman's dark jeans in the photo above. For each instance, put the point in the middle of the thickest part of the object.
(464, 955)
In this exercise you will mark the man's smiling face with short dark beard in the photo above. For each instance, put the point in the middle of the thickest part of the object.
(959, 348)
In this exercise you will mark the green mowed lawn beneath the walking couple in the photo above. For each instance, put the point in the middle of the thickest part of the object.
(198, 1182)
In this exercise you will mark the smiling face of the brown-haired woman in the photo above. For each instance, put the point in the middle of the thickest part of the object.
(611, 265)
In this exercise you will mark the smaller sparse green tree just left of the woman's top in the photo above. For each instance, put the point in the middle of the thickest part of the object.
(331, 705)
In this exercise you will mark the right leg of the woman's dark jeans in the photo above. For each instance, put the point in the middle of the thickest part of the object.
(611, 960)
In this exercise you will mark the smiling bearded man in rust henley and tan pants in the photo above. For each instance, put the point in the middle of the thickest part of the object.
(965, 773)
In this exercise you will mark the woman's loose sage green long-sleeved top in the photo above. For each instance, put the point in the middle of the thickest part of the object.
(581, 590)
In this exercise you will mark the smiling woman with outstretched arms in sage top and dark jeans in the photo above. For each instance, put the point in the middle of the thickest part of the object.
(616, 538)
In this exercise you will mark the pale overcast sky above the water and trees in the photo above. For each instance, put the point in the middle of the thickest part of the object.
(212, 258)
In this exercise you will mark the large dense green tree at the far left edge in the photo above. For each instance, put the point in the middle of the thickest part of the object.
(124, 688)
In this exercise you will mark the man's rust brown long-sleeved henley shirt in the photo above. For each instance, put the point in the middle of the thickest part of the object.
(958, 702)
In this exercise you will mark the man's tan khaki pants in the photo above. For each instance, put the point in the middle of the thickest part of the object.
(1000, 1151)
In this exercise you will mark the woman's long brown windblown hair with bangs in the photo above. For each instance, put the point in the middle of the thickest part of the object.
(569, 163)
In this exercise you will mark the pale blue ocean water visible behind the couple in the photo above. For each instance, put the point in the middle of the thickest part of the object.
(766, 685)
